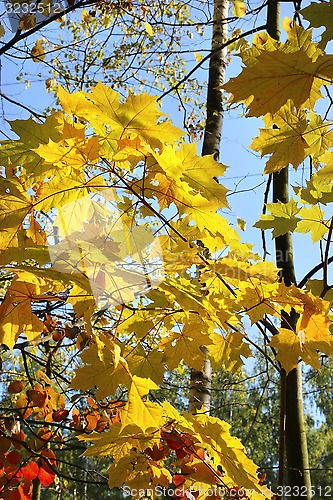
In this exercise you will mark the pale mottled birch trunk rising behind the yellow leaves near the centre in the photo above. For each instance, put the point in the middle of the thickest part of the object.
(200, 384)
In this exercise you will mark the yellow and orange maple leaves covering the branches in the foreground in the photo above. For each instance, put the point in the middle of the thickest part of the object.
(106, 216)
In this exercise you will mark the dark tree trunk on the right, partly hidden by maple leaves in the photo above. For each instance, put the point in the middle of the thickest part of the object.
(292, 431)
